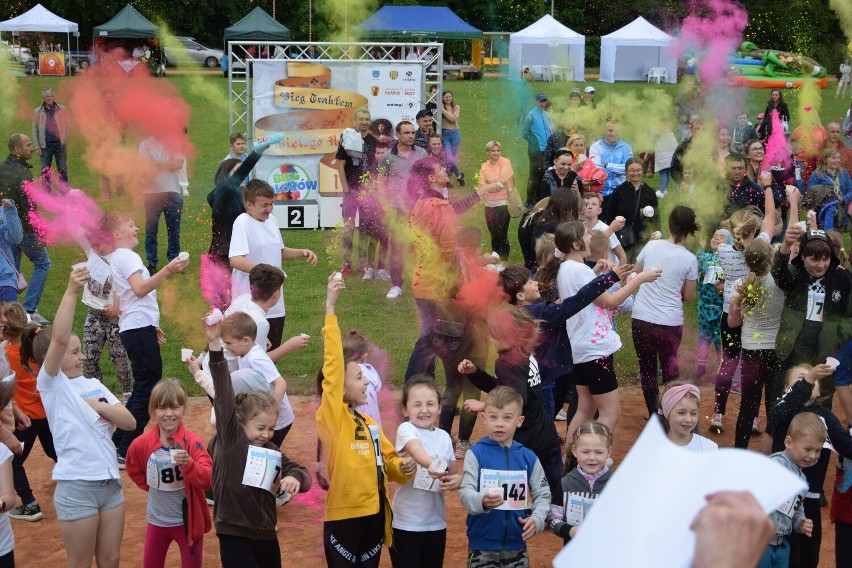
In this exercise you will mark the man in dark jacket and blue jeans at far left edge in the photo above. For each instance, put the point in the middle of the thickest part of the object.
(13, 173)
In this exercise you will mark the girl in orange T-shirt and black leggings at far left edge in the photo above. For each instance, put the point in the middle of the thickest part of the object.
(28, 401)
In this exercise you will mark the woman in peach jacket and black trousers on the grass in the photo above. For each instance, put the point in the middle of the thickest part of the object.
(497, 177)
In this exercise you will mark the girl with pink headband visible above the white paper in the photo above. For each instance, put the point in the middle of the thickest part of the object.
(678, 409)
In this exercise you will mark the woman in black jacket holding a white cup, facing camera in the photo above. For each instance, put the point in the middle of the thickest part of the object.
(632, 200)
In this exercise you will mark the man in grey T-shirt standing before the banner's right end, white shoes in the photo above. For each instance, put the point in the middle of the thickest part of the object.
(394, 169)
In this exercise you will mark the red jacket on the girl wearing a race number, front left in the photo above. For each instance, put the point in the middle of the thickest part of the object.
(197, 474)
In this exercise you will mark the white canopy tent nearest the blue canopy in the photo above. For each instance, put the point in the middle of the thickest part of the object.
(547, 42)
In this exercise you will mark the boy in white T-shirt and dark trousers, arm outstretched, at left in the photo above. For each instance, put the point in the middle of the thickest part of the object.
(138, 324)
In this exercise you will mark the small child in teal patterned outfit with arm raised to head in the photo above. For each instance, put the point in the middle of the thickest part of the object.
(709, 304)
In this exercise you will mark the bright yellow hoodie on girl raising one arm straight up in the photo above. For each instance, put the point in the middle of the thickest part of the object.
(352, 442)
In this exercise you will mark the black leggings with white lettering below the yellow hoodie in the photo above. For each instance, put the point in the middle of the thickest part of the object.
(354, 542)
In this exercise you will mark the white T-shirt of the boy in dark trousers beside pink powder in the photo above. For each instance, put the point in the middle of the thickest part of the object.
(136, 312)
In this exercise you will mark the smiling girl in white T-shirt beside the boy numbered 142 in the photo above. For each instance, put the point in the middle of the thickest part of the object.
(419, 519)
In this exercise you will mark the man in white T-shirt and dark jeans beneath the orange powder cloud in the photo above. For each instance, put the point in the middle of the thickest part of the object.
(163, 187)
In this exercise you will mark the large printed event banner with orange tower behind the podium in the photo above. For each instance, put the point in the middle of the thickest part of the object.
(310, 104)
